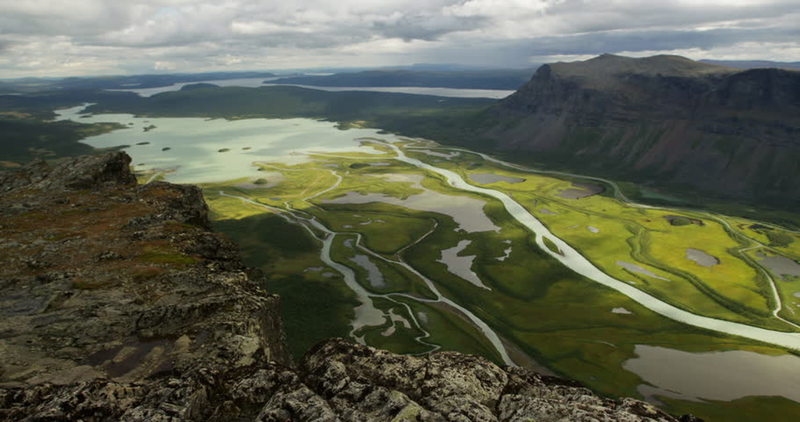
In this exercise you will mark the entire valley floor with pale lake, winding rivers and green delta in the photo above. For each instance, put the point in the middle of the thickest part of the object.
(412, 246)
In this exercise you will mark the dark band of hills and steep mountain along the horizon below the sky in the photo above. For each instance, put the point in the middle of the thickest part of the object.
(695, 127)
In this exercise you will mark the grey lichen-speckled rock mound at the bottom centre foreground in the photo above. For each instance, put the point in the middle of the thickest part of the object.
(362, 383)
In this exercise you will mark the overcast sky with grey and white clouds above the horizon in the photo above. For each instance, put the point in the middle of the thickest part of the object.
(83, 37)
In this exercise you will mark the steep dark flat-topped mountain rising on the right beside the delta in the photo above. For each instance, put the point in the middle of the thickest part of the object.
(722, 131)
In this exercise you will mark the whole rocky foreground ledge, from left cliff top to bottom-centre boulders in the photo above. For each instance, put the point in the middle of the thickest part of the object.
(118, 303)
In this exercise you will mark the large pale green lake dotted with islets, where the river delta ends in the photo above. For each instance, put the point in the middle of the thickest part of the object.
(194, 143)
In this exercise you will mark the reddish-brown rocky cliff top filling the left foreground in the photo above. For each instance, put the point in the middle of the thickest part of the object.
(116, 300)
